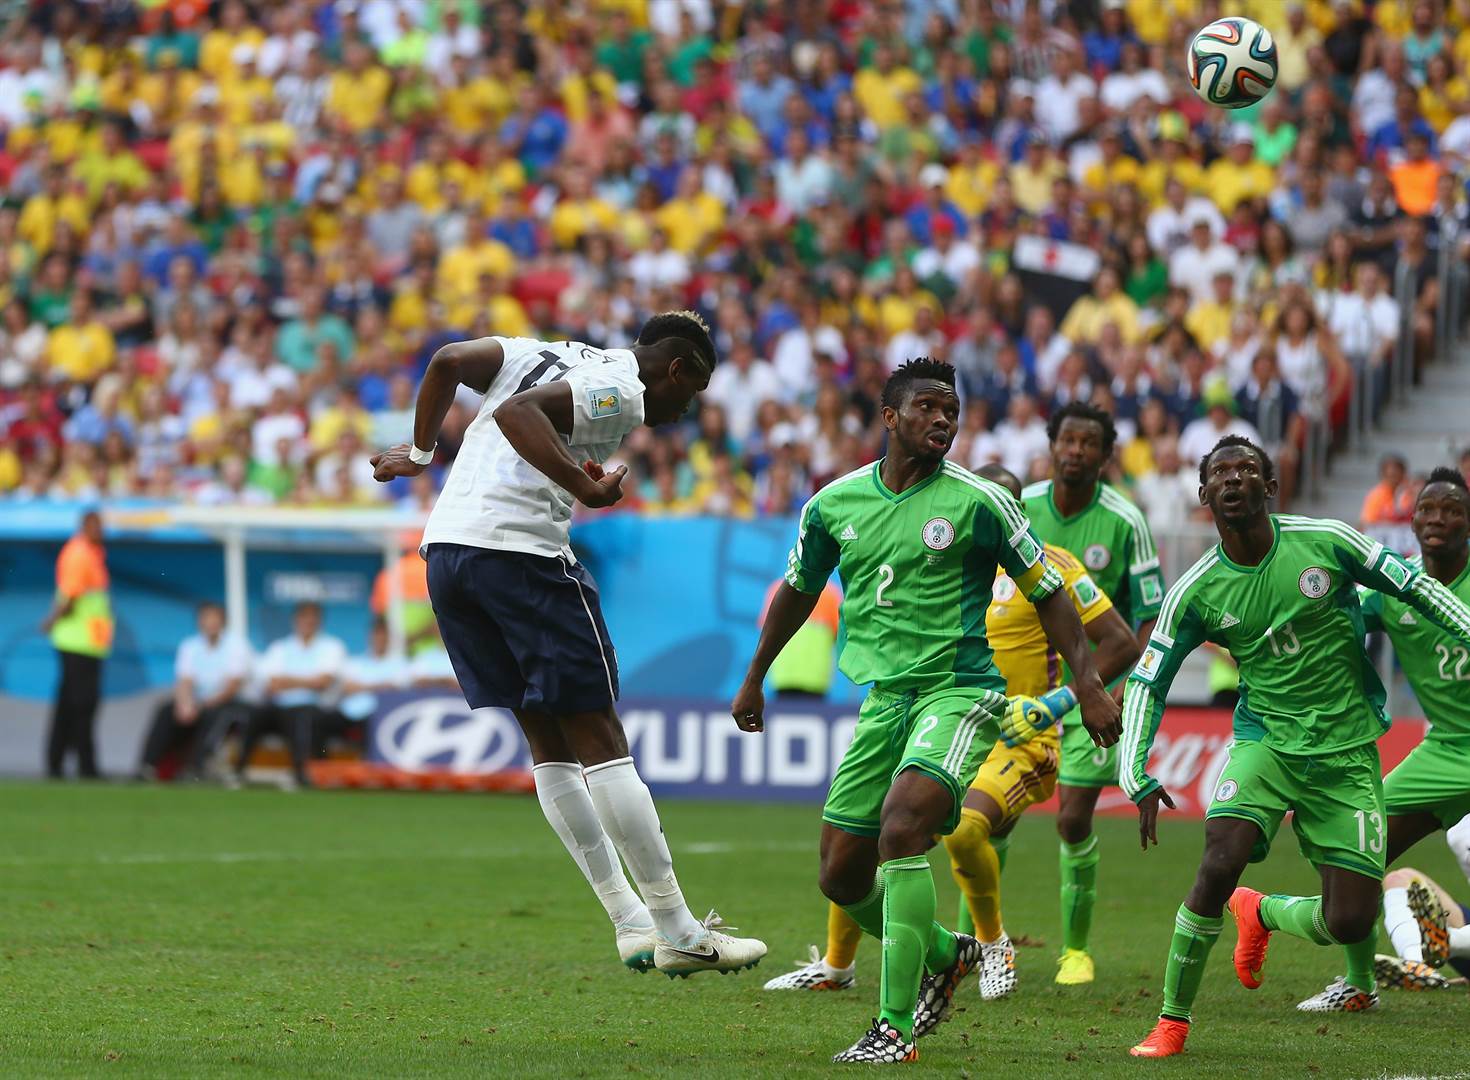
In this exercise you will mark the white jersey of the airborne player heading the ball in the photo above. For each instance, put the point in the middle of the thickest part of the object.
(493, 497)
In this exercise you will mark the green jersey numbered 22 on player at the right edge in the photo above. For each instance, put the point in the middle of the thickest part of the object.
(1437, 663)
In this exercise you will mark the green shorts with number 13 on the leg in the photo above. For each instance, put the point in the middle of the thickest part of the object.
(1338, 803)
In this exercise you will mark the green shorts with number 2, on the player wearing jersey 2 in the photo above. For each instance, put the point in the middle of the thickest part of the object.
(944, 735)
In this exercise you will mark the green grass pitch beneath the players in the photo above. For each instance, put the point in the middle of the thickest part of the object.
(198, 934)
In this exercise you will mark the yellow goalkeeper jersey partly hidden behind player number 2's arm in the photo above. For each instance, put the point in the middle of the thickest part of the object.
(1022, 652)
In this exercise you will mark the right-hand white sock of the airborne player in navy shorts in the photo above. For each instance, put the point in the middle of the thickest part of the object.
(628, 815)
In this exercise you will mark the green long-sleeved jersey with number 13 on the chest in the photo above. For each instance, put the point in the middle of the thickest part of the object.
(1296, 628)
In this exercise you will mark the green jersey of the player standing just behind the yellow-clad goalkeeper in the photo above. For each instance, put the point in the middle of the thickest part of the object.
(1112, 540)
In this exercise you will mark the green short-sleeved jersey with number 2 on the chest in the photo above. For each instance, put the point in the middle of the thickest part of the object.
(918, 571)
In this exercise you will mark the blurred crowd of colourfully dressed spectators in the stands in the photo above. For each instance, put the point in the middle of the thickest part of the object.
(234, 233)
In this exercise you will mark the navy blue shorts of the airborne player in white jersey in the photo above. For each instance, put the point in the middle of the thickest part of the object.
(523, 631)
